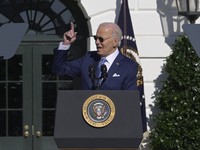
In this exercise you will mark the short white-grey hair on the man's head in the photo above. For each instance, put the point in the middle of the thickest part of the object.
(117, 32)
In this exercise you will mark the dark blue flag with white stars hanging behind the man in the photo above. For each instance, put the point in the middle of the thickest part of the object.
(129, 48)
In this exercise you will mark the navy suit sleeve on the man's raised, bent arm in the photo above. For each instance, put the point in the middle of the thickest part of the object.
(62, 67)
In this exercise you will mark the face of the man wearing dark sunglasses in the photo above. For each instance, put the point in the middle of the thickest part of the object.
(108, 46)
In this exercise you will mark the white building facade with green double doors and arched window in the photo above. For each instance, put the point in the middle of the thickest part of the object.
(28, 88)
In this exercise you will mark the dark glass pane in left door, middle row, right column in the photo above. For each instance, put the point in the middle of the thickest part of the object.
(15, 95)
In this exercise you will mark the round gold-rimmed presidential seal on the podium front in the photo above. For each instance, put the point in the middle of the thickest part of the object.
(98, 110)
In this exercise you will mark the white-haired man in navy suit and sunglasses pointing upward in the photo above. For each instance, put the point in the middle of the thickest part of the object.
(121, 70)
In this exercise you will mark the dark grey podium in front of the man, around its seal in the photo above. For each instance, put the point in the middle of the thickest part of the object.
(73, 132)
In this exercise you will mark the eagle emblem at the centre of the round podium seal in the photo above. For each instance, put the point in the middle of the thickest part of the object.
(99, 111)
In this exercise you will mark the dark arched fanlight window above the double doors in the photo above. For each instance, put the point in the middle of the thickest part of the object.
(44, 16)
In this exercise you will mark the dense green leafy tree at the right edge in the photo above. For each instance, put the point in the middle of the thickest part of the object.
(178, 122)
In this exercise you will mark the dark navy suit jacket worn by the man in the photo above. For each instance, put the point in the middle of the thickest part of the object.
(122, 74)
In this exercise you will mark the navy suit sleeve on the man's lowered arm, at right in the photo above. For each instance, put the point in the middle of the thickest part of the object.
(130, 81)
